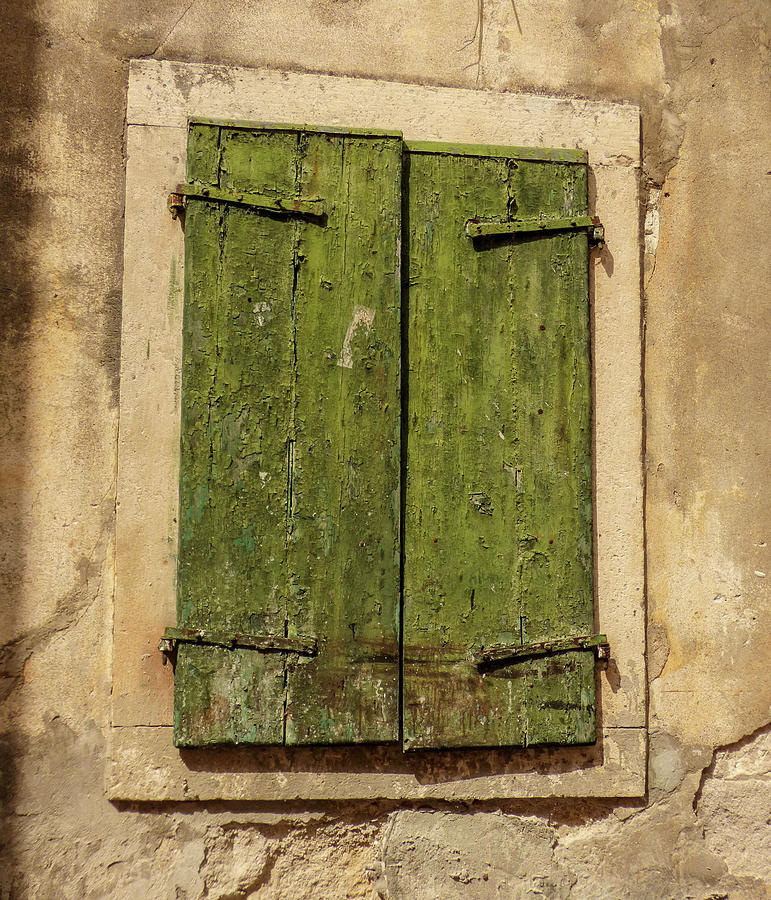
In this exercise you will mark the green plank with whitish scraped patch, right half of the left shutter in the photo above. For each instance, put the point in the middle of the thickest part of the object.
(344, 545)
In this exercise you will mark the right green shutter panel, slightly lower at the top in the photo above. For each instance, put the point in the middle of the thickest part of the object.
(498, 518)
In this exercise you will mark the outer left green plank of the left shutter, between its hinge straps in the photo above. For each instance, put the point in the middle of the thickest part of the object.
(236, 410)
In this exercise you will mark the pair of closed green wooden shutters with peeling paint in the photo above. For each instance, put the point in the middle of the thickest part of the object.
(310, 489)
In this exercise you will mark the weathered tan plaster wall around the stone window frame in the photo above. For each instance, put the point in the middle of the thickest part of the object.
(700, 73)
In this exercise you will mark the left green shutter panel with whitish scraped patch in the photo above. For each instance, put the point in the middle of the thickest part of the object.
(289, 480)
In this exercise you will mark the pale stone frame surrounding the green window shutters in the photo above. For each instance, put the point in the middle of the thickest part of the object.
(143, 764)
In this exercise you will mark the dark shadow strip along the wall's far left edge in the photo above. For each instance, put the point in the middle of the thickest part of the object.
(20, 204)
